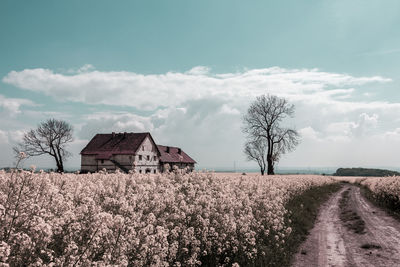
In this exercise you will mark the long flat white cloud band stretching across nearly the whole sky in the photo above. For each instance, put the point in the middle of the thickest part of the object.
(148, 92)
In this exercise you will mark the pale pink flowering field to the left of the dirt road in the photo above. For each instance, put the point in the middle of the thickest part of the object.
(134, 219)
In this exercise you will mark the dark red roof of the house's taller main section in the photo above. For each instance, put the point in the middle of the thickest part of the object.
(105, 145)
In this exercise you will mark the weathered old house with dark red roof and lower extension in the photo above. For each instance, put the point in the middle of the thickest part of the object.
(131, 151)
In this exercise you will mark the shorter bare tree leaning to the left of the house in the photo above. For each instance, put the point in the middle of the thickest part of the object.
(51, 138)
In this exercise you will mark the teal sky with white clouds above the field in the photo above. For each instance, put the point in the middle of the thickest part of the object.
(186, 71)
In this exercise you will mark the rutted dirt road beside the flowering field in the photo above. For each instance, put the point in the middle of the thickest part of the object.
(351, 232)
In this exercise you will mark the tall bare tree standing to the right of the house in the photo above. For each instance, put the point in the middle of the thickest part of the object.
(262, 122)
